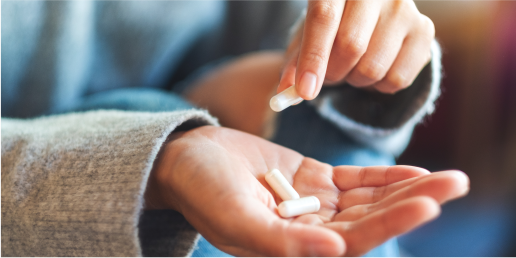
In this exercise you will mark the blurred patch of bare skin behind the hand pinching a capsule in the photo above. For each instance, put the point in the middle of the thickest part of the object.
(238, 92)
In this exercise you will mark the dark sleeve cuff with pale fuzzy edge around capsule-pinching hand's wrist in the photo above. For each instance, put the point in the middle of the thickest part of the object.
(384, 122)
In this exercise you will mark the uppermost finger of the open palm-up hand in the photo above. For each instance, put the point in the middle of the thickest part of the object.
(350, 177)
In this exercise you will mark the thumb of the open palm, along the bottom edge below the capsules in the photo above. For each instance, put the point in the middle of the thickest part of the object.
(255, 229)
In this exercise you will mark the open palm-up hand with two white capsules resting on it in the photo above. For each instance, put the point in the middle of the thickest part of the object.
(215, 178)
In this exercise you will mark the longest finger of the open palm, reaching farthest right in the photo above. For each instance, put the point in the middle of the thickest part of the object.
(441, 186)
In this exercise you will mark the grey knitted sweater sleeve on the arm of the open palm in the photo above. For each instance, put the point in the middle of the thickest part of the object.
(72, 185)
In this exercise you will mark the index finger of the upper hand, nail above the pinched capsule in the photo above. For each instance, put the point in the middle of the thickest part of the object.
(321, 26)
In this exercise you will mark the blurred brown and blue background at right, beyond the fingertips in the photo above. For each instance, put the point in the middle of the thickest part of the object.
(473, 129)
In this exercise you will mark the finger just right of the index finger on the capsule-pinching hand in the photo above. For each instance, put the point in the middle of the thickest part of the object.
(352, 40)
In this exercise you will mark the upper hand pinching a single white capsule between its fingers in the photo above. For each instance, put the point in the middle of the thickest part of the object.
(378, 43)
